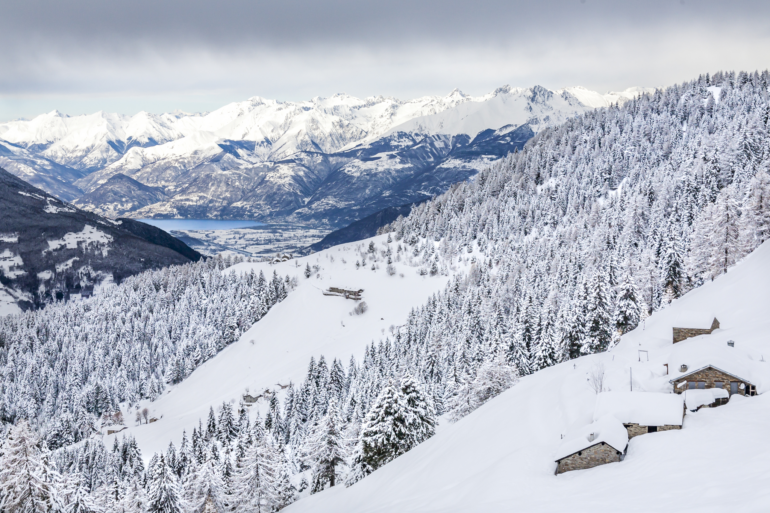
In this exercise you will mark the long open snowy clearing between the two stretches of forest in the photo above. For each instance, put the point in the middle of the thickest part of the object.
(278, 348)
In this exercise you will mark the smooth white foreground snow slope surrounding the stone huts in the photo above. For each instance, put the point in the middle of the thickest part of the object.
(501, 457)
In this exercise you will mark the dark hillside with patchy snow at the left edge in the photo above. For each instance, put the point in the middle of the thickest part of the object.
(50, 250)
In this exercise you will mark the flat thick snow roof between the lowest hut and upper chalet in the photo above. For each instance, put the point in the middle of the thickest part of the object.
(643, 408)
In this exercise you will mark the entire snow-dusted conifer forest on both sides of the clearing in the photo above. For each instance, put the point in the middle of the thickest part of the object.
(571, 242)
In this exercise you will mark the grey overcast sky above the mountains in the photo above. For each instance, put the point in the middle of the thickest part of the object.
(81, 56)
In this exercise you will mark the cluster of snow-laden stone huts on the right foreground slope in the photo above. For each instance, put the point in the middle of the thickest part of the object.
(710, 381)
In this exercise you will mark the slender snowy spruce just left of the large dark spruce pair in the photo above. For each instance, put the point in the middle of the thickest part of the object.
(325, 450)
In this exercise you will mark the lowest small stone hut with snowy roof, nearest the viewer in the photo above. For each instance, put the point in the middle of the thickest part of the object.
(604, 441)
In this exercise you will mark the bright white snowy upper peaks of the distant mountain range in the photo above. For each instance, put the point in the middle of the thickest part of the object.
(281, 128)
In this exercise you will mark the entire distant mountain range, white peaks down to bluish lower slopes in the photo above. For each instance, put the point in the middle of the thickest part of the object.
(331, 160)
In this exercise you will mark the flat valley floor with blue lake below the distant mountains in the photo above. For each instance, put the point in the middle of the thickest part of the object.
(254, 241)
